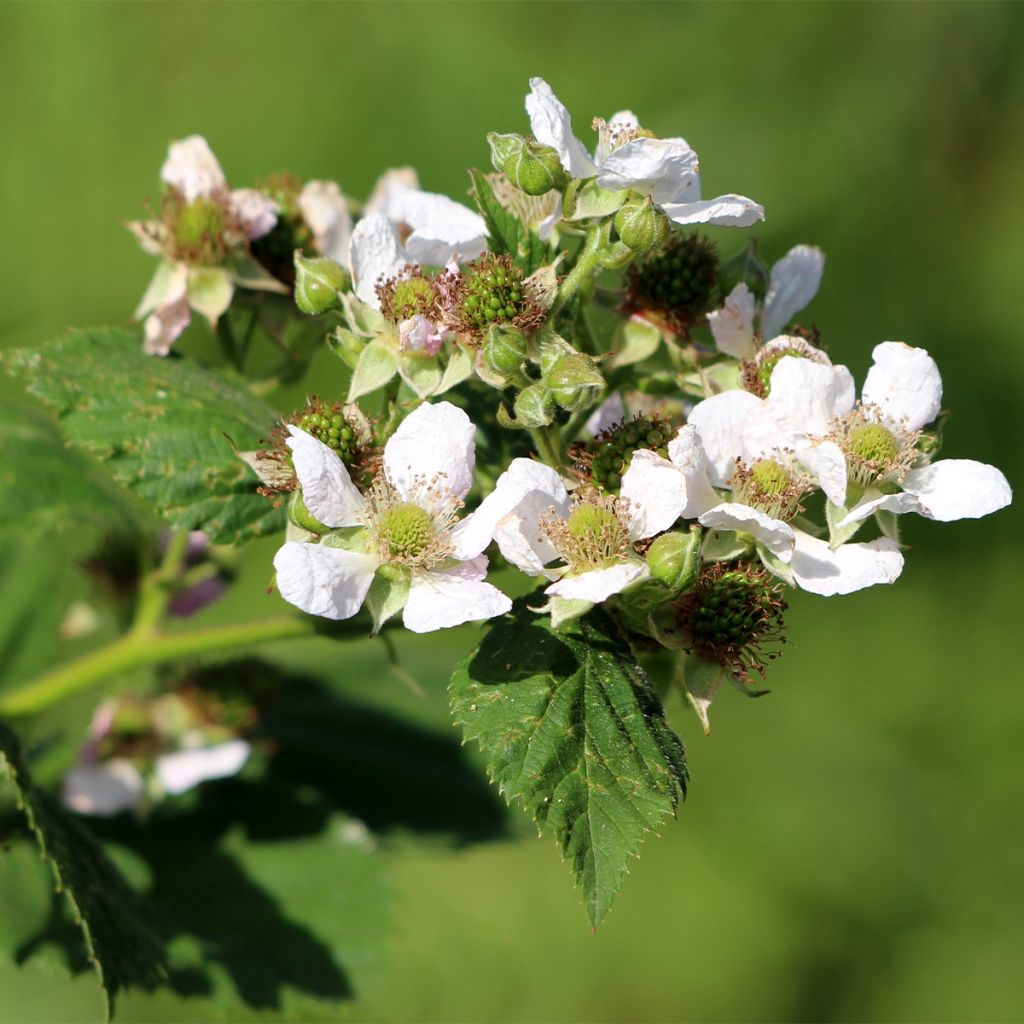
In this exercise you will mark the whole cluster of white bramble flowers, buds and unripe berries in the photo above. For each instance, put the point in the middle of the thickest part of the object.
(747, 462)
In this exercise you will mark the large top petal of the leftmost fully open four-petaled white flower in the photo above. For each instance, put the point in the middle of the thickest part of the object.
(435, 446)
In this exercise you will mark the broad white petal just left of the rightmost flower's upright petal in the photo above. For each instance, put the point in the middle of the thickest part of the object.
(806, 397)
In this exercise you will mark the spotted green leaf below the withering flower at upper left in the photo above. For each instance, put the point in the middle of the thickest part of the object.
(161, 426)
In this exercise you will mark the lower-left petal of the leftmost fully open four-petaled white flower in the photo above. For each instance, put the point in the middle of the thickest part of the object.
(324, 581)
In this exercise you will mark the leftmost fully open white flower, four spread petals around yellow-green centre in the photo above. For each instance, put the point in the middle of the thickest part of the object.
(410, 517)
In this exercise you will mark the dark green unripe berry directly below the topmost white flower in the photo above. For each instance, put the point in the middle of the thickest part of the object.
(678, 280)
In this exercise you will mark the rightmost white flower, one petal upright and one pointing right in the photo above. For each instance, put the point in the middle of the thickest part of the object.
(903, 394)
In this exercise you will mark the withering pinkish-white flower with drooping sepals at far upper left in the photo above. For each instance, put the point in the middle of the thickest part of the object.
(202, 265)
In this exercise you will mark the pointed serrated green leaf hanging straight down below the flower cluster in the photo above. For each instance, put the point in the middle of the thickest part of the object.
(572, 729)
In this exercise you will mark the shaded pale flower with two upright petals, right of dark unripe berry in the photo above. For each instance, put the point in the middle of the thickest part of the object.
(794, 282)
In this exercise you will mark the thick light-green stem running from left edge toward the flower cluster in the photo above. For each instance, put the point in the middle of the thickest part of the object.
(135, 651)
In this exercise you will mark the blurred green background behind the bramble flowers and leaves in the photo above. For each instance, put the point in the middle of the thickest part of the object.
(852, 845)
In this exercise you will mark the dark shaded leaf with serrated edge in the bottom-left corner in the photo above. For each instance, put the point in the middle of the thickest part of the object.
(113, 921)
